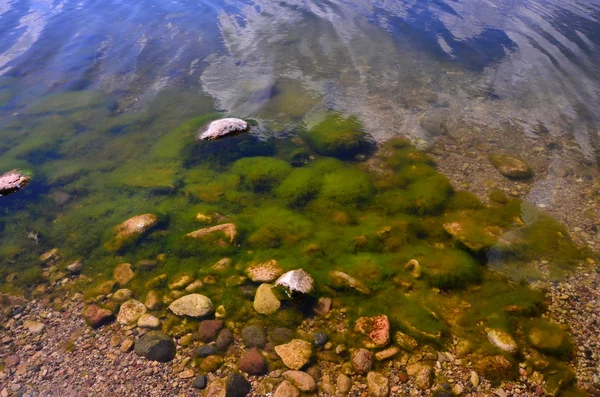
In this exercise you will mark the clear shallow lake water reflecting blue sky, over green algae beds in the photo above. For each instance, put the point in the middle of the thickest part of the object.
(100, 102)
